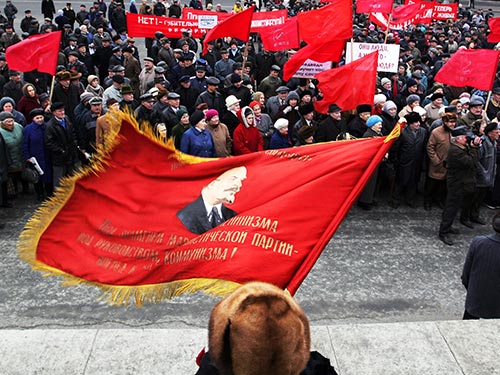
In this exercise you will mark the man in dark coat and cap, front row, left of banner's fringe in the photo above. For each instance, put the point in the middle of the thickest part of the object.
(61, 142)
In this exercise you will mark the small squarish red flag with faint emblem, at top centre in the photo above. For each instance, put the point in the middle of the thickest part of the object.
(280, 37)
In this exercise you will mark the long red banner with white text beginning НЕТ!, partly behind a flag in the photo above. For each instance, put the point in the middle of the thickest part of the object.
(145, 26)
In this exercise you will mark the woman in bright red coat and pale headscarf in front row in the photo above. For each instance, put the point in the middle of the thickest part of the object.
(246, 136)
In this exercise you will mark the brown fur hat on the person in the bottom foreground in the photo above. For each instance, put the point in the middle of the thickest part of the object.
(259, 329)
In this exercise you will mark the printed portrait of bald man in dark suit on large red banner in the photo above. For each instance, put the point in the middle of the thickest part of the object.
(208, 210)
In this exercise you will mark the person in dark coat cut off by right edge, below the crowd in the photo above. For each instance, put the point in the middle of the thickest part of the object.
(481, 275)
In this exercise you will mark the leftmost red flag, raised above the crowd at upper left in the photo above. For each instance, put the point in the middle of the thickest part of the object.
(38, 52)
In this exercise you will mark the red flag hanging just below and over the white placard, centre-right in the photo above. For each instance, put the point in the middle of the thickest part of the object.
(349, 85)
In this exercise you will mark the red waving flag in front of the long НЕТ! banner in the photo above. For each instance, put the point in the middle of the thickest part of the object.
(236, 26)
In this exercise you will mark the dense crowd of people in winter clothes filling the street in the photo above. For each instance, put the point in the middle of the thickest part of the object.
(232, 100)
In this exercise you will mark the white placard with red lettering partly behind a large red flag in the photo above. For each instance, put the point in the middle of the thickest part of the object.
(388, 54)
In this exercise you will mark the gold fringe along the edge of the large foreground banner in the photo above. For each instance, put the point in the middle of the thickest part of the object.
(117, 295)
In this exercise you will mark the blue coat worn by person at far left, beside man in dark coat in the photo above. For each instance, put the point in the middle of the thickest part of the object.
(34, 146)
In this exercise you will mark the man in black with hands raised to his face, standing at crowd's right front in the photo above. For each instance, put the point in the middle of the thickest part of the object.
(460, 180)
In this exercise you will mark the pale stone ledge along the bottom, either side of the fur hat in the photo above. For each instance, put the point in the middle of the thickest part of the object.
(440, 348)
